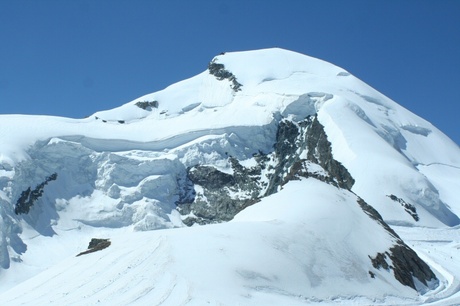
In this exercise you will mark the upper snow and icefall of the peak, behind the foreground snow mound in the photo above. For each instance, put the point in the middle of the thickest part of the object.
(130, 166)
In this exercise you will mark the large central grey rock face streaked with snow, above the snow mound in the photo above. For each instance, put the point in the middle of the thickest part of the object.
(301, 150)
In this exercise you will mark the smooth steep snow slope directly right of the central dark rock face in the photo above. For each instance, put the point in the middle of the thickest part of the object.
(383, 144)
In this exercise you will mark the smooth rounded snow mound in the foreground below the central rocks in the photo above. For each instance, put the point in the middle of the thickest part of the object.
(308, 243)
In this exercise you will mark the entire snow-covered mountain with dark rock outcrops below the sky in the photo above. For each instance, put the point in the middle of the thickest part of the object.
(270, 178)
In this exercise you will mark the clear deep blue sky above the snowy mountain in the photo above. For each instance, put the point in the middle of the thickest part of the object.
(73, 58)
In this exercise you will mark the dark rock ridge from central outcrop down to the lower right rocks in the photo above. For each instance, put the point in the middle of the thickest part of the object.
(301, 151)
